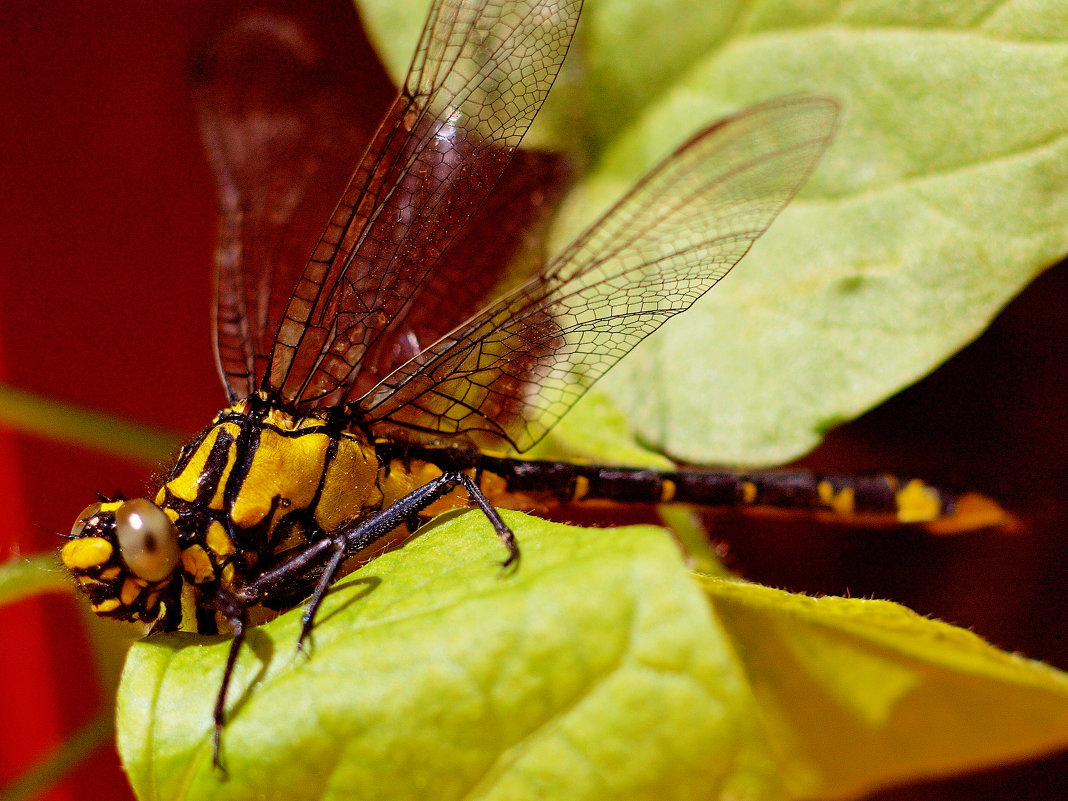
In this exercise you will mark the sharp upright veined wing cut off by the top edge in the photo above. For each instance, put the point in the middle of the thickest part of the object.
(480, 75)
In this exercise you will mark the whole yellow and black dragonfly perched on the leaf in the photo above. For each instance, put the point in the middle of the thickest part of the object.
(365, 396)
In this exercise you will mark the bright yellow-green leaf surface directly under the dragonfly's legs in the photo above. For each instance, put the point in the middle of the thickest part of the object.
(594, 671)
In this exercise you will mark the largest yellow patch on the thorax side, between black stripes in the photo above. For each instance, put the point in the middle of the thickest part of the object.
(289, 468)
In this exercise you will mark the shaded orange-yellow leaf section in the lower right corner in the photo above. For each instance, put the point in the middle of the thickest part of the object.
(856, 695)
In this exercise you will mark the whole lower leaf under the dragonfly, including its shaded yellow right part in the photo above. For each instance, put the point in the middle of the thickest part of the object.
(599, 670)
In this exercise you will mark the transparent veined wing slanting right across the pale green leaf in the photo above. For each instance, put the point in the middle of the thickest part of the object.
(507, 376)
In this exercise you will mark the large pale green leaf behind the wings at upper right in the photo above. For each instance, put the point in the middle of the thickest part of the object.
(946, 194)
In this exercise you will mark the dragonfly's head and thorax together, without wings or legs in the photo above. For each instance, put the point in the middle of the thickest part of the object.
(250, 490)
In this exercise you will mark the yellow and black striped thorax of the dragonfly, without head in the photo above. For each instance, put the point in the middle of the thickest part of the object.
(259, 483)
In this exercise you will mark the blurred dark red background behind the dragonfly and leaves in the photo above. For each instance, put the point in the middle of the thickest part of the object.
(106, 243)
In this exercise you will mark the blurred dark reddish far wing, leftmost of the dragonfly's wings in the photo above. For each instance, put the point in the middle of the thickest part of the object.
(280, 116)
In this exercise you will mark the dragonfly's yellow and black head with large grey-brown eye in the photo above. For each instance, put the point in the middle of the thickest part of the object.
(124, 555)
